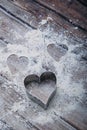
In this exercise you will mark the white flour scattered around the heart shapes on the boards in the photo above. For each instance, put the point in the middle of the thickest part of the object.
(34, 47)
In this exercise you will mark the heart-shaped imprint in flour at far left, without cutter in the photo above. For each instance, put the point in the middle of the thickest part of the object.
(16, 63)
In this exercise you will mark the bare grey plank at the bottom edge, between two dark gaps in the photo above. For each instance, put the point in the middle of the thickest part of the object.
(55, 123)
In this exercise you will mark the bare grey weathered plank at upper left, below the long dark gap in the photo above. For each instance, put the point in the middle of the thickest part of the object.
(10, 28)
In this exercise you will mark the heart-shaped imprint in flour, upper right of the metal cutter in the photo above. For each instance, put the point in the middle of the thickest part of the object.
(57, 51)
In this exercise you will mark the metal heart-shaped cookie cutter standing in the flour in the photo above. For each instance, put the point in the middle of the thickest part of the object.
(41, 89)
